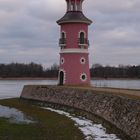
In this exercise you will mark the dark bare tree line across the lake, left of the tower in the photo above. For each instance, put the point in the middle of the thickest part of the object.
(15, 70)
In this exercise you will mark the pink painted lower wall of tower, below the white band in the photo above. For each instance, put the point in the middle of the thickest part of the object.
(73, 69)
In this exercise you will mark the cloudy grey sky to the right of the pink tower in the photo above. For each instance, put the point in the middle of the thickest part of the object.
(115, 32)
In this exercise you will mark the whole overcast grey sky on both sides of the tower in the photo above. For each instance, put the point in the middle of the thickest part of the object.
(28, 31)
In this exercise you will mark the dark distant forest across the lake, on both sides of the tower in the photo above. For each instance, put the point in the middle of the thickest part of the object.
(17, 70)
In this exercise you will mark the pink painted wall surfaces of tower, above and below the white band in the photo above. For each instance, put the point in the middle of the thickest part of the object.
(72, 66)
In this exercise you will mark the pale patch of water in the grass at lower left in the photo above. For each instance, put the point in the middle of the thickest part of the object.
(14, 115)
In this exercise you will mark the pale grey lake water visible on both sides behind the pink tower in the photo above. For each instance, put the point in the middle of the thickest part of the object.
(13, 88)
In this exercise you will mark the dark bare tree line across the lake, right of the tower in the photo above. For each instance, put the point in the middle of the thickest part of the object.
(120, 71)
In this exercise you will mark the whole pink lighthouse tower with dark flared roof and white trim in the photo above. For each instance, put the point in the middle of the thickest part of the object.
(74, 61)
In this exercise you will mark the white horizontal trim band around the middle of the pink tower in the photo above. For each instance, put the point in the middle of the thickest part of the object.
(74, 51)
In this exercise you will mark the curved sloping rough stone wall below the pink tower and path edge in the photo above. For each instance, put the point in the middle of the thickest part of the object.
(124, 113)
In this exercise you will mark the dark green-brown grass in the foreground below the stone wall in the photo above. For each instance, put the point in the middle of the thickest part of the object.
(48, 126)
